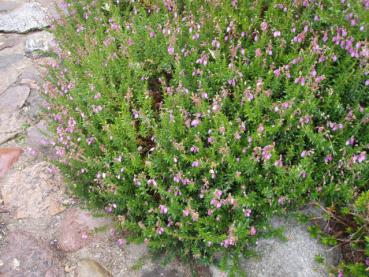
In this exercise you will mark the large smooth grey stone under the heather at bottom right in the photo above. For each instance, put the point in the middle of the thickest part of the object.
(292, 258)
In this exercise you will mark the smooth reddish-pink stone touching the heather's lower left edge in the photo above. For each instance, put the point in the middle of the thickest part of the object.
(77, 229)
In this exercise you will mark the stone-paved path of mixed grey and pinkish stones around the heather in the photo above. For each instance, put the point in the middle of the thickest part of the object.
(44, 231)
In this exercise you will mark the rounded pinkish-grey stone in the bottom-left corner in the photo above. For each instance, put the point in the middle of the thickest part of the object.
(24, 255)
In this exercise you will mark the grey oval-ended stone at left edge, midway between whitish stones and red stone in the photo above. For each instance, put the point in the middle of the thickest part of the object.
(13, 99)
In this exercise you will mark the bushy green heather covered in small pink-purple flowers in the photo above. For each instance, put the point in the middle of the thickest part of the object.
(195, 121)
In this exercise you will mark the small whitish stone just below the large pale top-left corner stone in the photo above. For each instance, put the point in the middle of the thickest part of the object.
(39, 43)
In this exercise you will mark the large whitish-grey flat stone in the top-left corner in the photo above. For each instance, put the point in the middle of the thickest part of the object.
(28, 17)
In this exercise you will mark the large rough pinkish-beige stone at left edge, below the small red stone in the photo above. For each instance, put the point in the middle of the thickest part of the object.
(35, 191)
